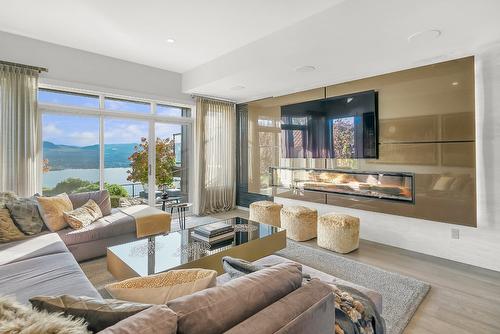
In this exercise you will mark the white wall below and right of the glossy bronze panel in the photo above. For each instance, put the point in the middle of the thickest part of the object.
(477, 246)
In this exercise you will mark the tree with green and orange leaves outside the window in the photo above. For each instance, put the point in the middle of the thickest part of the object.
(165, 163)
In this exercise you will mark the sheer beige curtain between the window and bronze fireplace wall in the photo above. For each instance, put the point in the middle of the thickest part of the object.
(216, 153)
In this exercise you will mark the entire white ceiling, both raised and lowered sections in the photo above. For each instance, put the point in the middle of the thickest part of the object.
(258, 44)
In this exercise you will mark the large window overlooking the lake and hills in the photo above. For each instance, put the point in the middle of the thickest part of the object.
(88, 146)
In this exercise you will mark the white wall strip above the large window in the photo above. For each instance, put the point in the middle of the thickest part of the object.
(84, 70)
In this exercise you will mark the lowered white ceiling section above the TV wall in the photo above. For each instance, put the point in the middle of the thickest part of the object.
(352, 40)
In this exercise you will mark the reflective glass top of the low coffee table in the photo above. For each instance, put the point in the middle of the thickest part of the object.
(164, 252)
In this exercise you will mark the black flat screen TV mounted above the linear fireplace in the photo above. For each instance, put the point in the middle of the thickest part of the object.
(341, 127)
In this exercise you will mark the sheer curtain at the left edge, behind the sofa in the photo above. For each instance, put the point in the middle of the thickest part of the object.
(19, 145)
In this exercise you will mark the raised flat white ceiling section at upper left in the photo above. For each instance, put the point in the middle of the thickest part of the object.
(137, 30)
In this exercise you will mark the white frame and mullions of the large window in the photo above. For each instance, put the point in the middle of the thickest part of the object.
(152, 118)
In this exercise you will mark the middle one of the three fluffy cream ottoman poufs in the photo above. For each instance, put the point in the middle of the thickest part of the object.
(300, 222)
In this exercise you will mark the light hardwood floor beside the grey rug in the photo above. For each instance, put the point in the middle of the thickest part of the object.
(462, 299)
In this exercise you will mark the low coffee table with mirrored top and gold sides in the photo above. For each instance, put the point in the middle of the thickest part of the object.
(179, 250)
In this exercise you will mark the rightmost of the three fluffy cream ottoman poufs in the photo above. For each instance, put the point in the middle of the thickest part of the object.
(339, 233)
